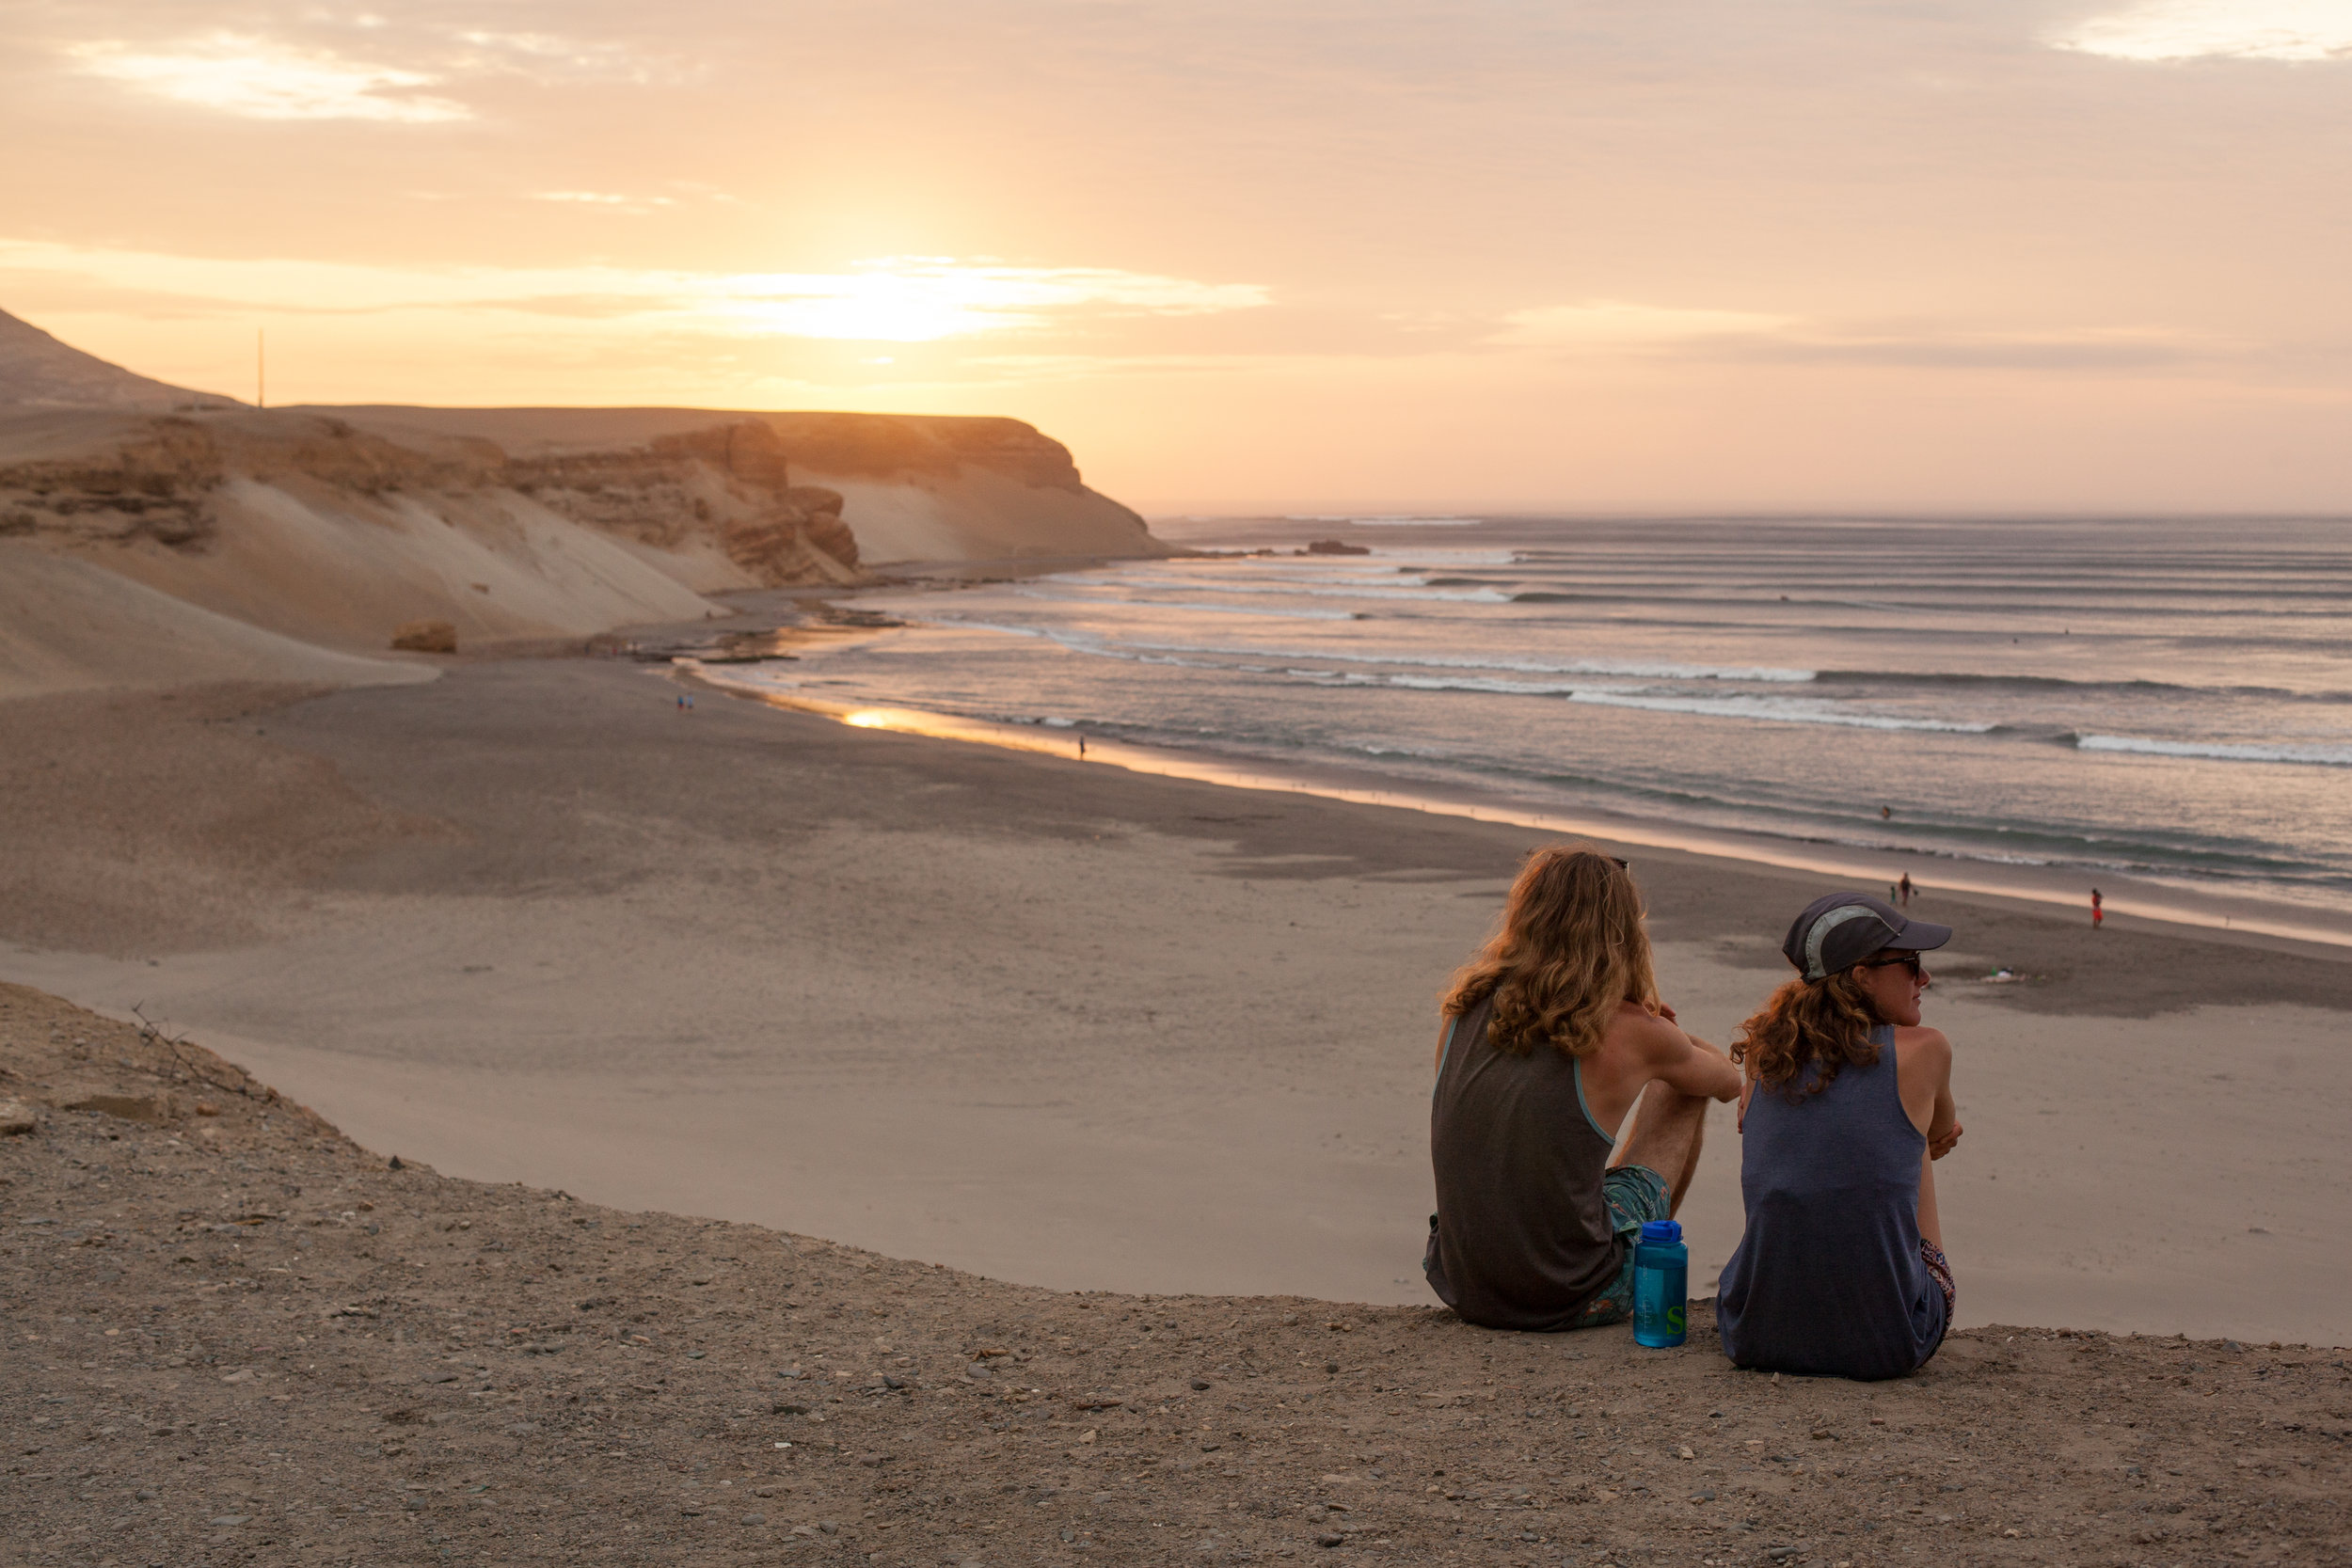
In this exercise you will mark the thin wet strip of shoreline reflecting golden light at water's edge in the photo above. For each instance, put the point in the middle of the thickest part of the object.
(2294, 930)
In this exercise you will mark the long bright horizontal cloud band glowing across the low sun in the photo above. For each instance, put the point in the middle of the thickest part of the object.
(902, 300)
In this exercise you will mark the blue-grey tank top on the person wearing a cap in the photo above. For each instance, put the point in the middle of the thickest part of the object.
(1829, 1278)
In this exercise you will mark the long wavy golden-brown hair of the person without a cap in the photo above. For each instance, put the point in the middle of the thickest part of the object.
(1568, 953)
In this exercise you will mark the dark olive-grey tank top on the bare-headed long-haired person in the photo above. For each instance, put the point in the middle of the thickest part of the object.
(1521, 1238)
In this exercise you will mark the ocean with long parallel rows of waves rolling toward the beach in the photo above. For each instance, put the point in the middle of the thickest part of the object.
(2160, 704)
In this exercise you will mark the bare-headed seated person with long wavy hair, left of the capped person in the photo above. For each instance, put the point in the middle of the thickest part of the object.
(1551, 1038)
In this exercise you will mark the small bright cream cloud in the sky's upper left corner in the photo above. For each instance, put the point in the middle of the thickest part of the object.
(260, 79)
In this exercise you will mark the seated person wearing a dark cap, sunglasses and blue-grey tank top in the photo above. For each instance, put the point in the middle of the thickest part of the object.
(1847, 1104)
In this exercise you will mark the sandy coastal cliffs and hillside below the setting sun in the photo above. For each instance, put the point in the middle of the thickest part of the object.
(152, 535)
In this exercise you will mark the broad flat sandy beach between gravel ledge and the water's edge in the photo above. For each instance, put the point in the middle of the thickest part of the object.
(1048, 1021)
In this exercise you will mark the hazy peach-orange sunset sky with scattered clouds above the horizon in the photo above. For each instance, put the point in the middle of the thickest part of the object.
(1271, 255)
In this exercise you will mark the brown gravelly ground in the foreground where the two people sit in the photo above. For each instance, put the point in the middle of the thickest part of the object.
(239, 1339)
